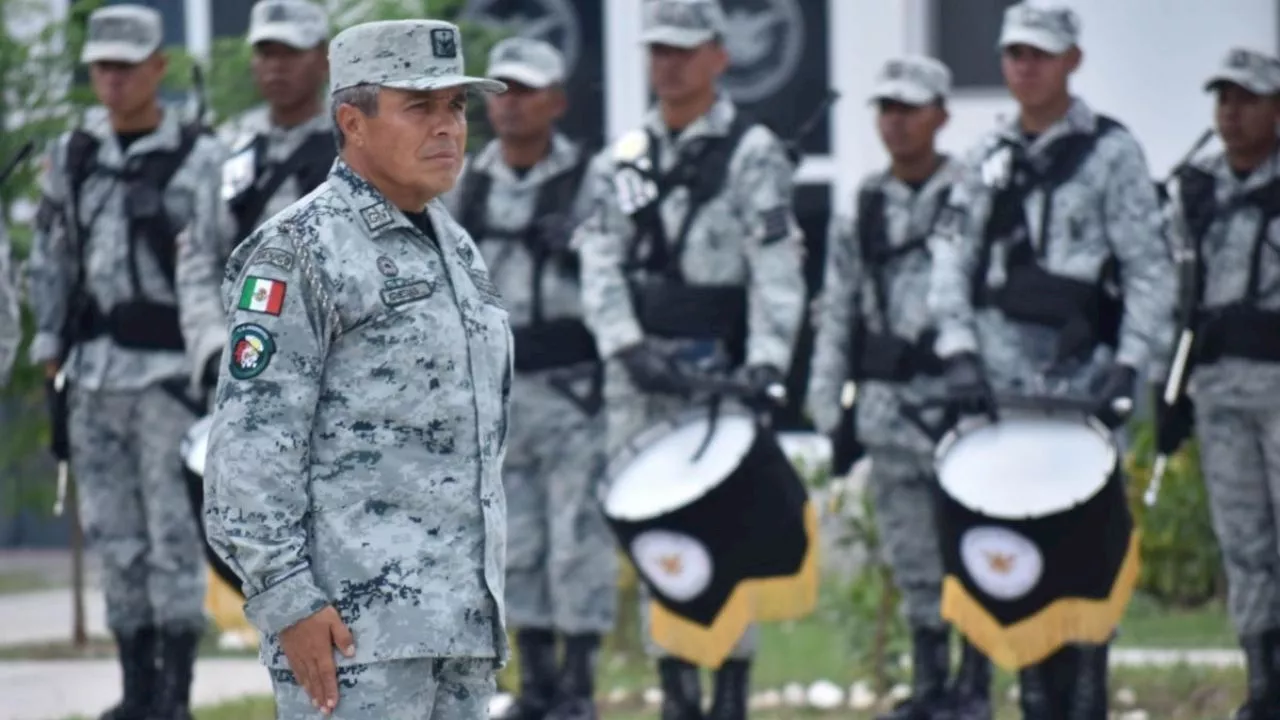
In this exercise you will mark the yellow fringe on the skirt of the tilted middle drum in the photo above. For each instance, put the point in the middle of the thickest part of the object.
(788, 598)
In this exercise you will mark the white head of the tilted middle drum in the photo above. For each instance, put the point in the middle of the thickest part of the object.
(664, 476)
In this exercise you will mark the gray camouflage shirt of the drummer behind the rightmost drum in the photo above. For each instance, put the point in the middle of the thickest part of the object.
(1108, 209)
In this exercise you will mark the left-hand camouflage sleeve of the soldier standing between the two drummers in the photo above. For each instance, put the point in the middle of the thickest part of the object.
(833, 345)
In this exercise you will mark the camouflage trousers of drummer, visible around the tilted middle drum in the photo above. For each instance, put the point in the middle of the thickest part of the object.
(630, 414)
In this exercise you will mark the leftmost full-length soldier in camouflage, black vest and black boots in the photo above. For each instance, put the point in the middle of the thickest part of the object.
(116, 194)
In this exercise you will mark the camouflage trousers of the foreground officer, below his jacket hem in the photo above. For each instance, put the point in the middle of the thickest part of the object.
(419, 689)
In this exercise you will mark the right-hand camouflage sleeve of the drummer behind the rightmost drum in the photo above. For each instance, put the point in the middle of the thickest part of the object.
(1148, 274)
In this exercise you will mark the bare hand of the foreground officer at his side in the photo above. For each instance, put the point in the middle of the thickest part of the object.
(309, 646)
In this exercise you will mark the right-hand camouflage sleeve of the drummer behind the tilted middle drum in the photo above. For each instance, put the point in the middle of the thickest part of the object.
(775, 252)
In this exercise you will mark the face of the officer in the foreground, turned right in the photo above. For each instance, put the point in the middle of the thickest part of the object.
(415, 142)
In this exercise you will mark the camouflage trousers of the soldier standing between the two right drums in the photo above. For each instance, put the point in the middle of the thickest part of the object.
(902, 485)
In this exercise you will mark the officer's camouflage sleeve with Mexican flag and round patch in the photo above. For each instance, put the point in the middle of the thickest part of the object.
(258, 485)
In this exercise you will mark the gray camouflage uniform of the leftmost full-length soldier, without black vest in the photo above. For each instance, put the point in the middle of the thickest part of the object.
(125, 429)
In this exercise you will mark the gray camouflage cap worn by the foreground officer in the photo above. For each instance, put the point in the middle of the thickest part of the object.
(404, 56)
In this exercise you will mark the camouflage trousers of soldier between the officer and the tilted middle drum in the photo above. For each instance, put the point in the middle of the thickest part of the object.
(563, 566)
